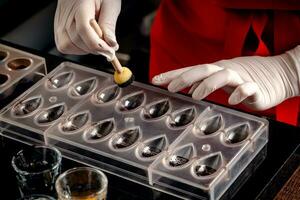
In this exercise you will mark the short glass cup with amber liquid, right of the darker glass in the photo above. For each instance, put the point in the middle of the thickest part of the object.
(82, 183)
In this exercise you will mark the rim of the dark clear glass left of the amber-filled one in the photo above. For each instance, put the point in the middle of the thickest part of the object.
(23, 172)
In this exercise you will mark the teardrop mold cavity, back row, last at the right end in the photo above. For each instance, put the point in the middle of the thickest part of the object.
(237, 134)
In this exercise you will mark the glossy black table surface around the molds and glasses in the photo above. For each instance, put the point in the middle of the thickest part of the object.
(283, 140)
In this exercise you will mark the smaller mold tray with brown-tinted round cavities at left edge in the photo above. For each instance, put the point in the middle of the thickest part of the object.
(18, 67)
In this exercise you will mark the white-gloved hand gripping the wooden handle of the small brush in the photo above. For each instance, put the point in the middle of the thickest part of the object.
(73, 33)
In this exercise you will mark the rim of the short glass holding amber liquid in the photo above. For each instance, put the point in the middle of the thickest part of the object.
(75, 169)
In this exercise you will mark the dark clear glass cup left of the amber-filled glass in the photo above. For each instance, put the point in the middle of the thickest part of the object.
(37, 169)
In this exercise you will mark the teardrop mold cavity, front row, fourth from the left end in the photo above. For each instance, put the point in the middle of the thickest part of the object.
(99, 130)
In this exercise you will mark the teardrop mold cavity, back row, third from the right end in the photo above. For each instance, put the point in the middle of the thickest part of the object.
(183, 118)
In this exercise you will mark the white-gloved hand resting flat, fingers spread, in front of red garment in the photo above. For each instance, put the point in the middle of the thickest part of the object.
(258, 82)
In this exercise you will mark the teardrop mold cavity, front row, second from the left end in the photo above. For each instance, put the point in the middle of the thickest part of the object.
(50, 114)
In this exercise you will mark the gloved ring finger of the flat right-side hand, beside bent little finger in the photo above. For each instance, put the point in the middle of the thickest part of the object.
(218, 80)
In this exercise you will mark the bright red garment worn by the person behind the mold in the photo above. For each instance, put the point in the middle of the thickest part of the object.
(189, 32)
